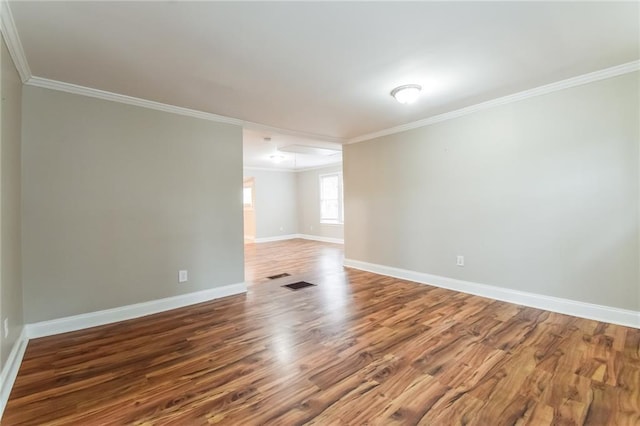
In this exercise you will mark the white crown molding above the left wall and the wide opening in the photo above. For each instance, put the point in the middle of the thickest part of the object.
(144, 103)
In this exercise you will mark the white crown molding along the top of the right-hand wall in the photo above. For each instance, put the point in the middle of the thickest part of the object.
(541, 90)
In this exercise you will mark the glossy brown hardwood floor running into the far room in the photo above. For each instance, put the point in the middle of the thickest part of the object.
(356, 349)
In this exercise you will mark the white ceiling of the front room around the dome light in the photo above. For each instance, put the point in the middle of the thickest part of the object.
(322, 68)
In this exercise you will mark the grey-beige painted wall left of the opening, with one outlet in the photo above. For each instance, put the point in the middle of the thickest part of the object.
(118, 198)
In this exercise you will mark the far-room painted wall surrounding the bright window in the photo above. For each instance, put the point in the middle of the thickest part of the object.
(308, 186)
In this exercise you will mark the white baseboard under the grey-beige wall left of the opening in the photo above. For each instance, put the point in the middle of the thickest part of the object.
(107, 316)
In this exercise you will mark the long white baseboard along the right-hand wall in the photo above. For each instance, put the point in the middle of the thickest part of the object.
(549, 303)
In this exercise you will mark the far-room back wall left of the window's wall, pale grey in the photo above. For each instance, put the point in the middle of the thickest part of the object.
(275, 202)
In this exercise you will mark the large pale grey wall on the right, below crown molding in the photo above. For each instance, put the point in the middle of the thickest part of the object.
(539, 195)
